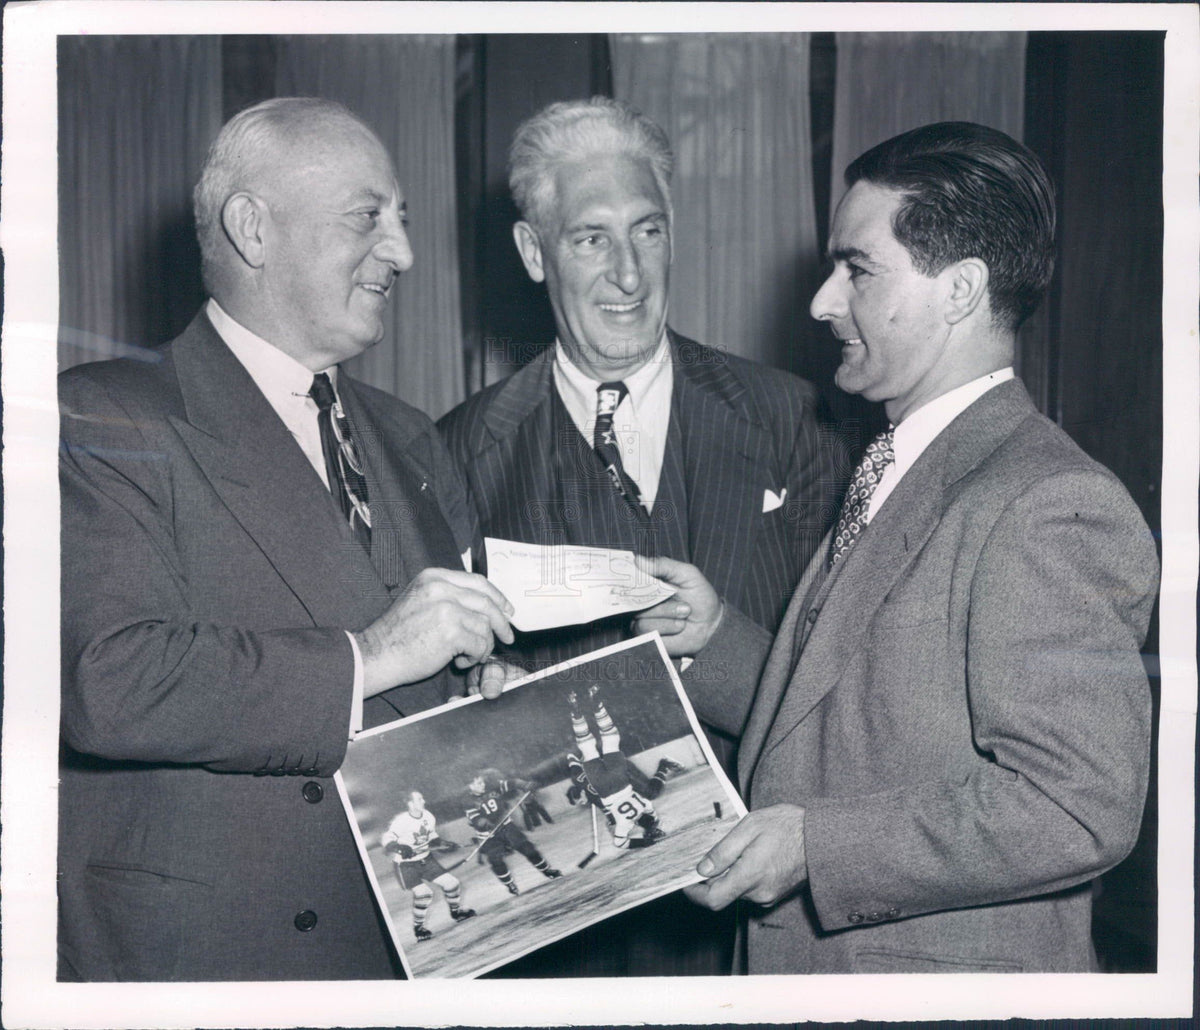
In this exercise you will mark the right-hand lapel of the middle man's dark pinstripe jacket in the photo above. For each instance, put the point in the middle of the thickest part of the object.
(727, 453)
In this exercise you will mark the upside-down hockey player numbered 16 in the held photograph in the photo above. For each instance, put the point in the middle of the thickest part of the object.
(599, 768)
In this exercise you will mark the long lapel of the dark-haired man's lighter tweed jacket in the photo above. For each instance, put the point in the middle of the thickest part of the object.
(850, 600)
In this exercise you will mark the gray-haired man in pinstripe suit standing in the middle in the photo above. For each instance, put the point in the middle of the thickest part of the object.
(628, 435)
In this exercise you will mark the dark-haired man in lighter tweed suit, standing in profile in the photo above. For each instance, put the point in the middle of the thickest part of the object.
(951, 736)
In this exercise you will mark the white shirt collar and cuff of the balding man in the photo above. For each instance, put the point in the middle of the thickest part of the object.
(285, 382)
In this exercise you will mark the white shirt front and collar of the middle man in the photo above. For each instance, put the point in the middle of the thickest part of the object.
(640, 422)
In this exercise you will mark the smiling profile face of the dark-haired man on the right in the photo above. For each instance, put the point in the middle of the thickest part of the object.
(887, 315)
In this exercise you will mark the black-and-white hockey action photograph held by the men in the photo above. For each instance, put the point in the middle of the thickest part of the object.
(491, 829)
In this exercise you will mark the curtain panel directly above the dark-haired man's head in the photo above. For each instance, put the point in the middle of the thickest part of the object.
(891, 82)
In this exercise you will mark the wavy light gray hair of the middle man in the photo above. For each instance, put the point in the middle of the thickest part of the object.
(572, 131)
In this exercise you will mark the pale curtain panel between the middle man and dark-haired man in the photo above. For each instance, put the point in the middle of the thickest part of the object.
(736, 109)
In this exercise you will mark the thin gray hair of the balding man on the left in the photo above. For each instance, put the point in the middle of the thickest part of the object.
(248, 141)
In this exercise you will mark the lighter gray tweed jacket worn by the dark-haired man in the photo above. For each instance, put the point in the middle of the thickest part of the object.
(961, 709)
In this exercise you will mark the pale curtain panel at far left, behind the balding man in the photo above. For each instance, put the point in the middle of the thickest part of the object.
(136, 117)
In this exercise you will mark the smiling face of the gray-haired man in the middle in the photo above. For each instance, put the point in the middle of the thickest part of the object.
(605, 255)
